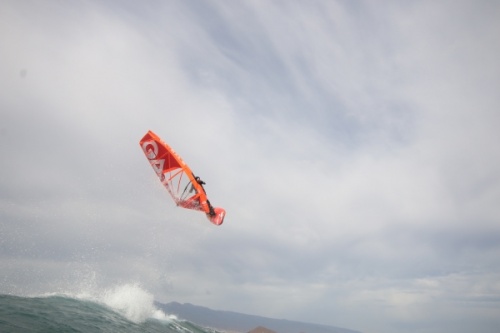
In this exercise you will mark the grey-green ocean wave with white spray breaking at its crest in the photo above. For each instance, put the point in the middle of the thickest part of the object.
(125, 309)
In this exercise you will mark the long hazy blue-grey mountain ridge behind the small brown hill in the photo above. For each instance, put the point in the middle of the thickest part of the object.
(237, 322)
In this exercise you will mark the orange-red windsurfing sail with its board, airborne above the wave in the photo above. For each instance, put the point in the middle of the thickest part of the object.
(185, 188)
